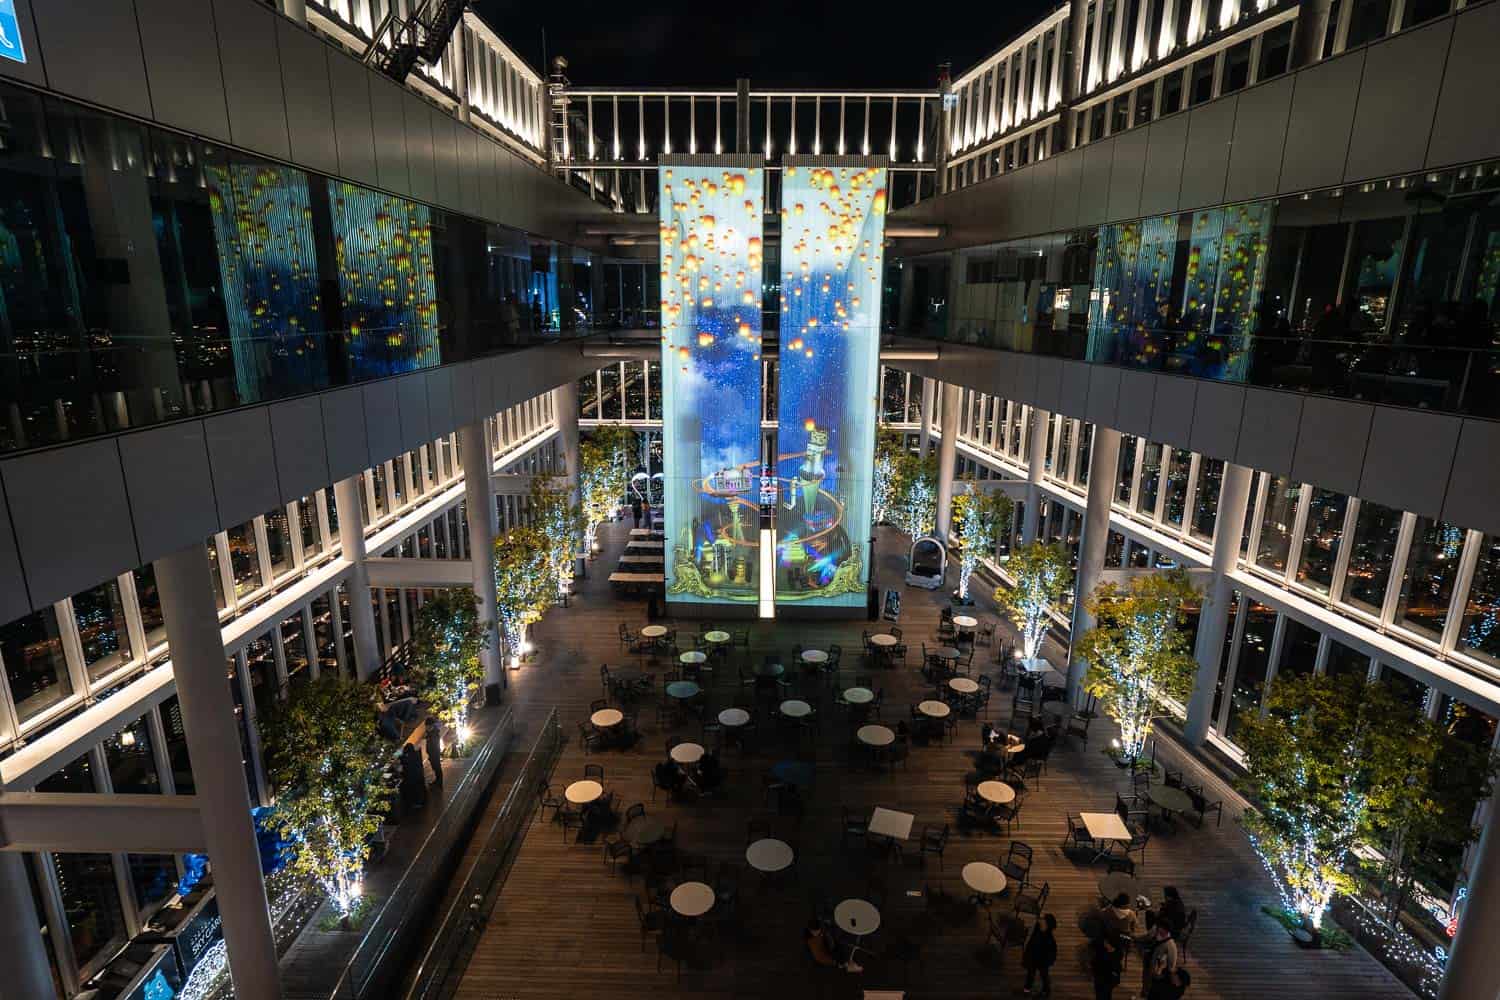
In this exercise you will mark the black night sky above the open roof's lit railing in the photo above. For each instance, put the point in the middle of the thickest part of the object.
(773, 44)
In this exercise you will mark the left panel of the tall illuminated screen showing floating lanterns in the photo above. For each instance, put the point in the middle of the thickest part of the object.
(712, 259)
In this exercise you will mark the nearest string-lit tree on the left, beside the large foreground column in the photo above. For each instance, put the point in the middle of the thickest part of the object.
(325, 759)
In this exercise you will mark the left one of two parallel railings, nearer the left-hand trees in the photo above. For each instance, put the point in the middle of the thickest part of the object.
(380, 959)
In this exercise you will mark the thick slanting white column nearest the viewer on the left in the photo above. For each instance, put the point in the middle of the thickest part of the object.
(224, 798)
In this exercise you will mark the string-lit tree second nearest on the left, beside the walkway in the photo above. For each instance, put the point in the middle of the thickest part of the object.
(446, 647)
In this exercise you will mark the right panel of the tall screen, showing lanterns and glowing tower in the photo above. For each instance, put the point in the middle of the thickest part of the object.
(833, 226)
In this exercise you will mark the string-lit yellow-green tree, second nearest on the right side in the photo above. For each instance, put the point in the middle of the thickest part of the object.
(1138, 654)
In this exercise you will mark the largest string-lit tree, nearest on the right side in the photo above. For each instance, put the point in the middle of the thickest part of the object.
(1327, 767)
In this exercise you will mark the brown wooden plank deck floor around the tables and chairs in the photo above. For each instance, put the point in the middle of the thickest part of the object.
(566, 927)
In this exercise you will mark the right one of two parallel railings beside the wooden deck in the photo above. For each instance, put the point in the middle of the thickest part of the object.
(448, 959)
